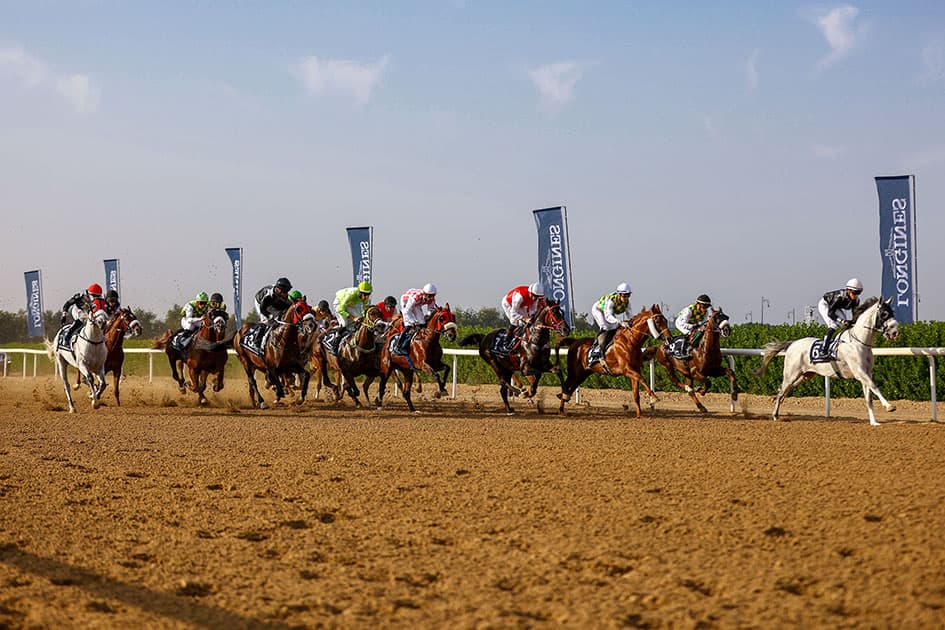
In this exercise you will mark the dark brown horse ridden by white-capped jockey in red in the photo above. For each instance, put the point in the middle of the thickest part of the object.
(533, 350)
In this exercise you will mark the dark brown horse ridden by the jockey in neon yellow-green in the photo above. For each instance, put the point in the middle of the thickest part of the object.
(358, 355)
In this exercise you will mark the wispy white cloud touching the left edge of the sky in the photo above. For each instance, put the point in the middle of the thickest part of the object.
(76, 89)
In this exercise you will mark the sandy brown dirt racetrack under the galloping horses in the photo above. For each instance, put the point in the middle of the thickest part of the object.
(160, 514)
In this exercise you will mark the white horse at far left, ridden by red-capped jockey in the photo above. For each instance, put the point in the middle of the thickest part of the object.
(88, 355)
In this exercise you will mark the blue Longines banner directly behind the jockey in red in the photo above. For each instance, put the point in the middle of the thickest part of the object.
(554, 258)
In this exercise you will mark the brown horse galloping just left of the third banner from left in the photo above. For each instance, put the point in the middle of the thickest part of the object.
(205, 355)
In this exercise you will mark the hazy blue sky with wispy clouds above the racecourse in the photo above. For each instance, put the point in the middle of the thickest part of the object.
(728, 149)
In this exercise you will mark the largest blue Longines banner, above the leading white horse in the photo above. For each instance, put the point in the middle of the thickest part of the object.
(897, 244)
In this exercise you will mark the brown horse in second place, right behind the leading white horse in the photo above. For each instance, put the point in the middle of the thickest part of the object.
(705, 359)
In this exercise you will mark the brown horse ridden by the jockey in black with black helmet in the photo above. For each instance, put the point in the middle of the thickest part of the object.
(281, 354)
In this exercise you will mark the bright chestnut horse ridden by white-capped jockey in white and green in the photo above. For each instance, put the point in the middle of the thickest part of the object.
(624, 357)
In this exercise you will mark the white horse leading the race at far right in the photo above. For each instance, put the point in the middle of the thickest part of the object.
(854, 355)
